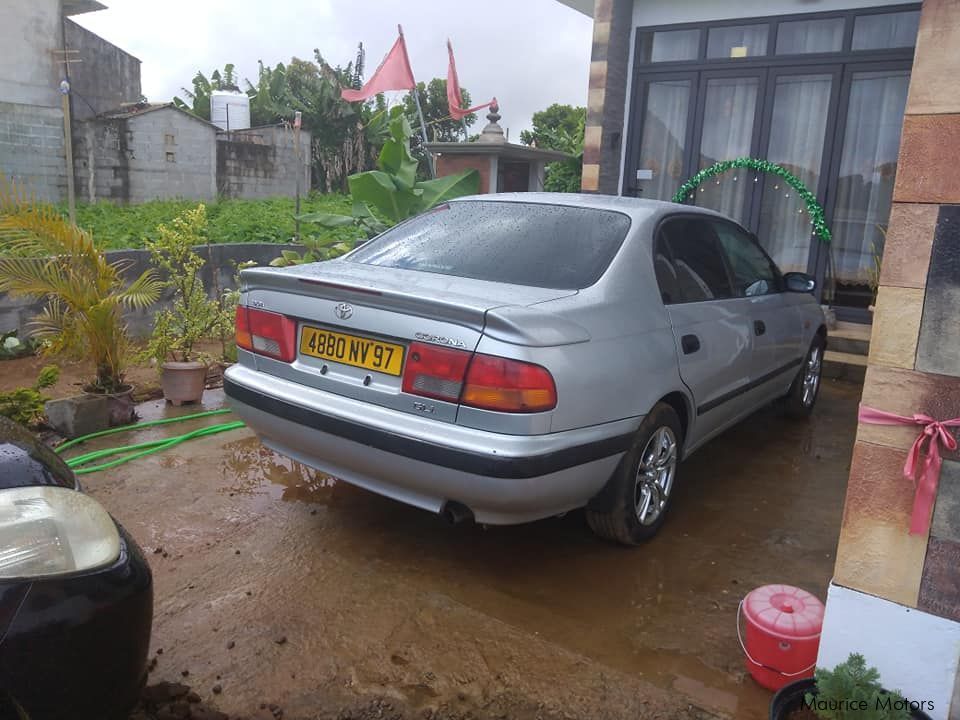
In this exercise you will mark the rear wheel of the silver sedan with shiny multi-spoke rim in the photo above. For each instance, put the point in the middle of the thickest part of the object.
(633, 505)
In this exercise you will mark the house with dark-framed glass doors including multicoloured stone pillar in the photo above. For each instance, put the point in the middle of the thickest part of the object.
(860, 99)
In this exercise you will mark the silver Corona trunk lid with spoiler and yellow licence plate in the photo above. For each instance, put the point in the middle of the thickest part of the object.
(355, 324)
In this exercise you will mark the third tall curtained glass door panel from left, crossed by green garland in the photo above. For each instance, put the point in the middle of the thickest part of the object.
(797, 123)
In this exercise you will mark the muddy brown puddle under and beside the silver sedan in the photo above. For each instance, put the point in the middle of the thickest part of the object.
(761, 504)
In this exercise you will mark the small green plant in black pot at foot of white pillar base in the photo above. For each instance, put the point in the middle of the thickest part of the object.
(851, 691)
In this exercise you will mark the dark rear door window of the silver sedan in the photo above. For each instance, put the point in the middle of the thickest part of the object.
(689, 264)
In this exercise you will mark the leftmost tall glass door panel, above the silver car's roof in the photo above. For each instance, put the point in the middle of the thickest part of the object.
(663, 145)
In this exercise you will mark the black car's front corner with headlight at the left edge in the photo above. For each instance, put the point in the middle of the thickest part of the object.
(76, 594)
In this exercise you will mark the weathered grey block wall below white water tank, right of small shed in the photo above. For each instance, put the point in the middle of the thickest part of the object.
(262, 162)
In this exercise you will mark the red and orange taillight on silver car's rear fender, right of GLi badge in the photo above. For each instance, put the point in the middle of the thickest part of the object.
(506, 385)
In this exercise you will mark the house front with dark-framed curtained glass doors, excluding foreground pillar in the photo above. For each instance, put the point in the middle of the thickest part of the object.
(816, 86)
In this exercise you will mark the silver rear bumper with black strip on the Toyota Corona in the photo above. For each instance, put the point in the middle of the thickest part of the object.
(502, 479)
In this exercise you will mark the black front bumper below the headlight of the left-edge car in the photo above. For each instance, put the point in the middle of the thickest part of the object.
(76, 647)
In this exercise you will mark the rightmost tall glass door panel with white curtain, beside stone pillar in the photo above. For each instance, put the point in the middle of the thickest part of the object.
(865, 177)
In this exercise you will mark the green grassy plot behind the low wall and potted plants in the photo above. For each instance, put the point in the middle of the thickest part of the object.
(228, 221)
